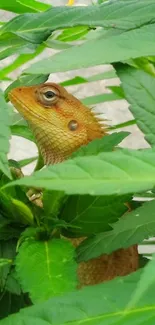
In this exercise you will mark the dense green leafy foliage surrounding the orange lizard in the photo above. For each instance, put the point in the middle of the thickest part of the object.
(85, 195)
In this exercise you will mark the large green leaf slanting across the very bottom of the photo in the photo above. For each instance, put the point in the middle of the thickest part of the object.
(94, 305)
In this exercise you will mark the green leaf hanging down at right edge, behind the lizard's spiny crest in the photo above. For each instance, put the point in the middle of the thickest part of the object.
(139, 90)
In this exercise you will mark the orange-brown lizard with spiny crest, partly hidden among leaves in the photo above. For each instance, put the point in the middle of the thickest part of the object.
(61, 124)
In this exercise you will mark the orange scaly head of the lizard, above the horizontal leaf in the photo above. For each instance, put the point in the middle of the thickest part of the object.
(60, 122)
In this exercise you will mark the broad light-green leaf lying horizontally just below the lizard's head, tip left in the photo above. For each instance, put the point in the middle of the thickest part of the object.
(119, 172)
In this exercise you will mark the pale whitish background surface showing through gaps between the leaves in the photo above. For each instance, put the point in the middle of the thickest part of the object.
(115, 112)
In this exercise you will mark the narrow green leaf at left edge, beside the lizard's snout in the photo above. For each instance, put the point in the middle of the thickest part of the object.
(4, 136)
